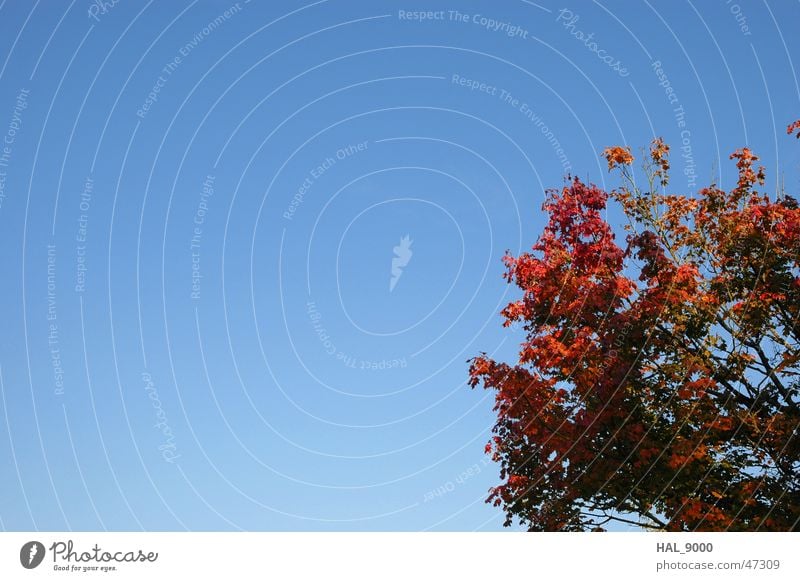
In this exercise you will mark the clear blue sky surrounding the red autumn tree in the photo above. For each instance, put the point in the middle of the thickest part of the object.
(199, 208)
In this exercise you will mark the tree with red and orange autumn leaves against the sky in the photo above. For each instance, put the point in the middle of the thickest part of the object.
(658, 380)
